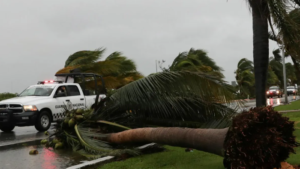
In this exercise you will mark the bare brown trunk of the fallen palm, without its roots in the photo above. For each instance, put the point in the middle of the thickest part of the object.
(209, 140)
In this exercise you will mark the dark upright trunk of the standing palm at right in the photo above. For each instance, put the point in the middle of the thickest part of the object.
(260, 48)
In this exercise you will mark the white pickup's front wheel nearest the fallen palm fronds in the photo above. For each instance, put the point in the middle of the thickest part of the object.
(43, 121)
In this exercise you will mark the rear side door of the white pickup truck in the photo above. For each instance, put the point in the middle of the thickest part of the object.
(76, 98)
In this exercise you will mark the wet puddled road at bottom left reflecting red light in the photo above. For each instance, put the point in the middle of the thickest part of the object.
(18, 157)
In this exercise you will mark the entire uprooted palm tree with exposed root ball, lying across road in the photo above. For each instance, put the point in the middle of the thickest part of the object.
(259, 138)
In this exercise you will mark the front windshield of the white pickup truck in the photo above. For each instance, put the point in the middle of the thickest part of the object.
(37, 91)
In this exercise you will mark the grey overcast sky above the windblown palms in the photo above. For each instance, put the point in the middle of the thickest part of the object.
(36, 37)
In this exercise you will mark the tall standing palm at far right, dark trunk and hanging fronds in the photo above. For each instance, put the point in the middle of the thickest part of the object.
(262, 12)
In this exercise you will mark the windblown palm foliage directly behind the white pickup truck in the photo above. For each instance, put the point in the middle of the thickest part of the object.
(116, 69)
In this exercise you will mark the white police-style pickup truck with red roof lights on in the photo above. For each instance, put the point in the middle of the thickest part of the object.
(41, 104)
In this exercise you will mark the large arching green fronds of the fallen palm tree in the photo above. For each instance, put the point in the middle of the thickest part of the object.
(184, 96)
